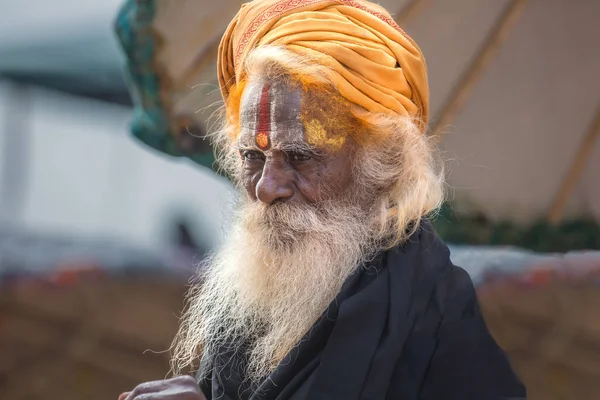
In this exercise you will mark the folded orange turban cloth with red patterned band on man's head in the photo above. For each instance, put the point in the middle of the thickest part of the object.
(374, 63)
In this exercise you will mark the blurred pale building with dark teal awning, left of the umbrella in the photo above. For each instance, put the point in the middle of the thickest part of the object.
(68, 165)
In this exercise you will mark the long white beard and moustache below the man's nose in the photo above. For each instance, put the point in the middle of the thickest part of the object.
(276, 274)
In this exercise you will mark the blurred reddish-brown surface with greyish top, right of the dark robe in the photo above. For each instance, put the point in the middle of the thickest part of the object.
(548, 320)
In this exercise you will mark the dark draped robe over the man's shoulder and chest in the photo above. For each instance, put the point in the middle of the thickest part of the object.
(407, 327)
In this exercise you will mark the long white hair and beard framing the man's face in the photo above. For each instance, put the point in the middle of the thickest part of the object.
(281, 265)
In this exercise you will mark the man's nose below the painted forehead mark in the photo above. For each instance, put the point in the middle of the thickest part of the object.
(275, 184)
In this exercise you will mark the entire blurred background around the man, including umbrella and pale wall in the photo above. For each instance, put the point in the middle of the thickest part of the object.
(106, 208)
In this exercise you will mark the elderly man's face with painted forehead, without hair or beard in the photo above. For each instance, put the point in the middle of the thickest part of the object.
(292, 145)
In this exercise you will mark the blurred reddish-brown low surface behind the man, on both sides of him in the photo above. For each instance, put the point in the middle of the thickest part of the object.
(87, 339)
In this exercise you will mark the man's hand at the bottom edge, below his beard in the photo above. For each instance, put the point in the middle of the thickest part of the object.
(180, 388)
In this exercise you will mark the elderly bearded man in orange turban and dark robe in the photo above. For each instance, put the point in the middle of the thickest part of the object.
(331, 283)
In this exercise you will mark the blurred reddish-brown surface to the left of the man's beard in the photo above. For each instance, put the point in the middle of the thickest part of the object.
(85, 341)
